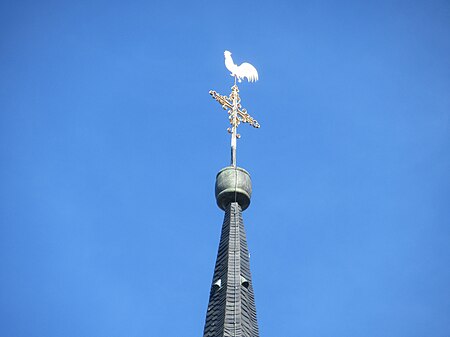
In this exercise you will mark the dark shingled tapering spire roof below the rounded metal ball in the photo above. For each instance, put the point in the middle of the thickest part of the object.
(231, 309)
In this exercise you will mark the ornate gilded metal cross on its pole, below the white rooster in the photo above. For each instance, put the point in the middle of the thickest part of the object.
(236, 115)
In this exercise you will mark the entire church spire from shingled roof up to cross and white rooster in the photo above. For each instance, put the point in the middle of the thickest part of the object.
(231, 309)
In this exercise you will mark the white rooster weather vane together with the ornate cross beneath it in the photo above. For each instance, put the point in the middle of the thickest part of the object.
(232, 103)
